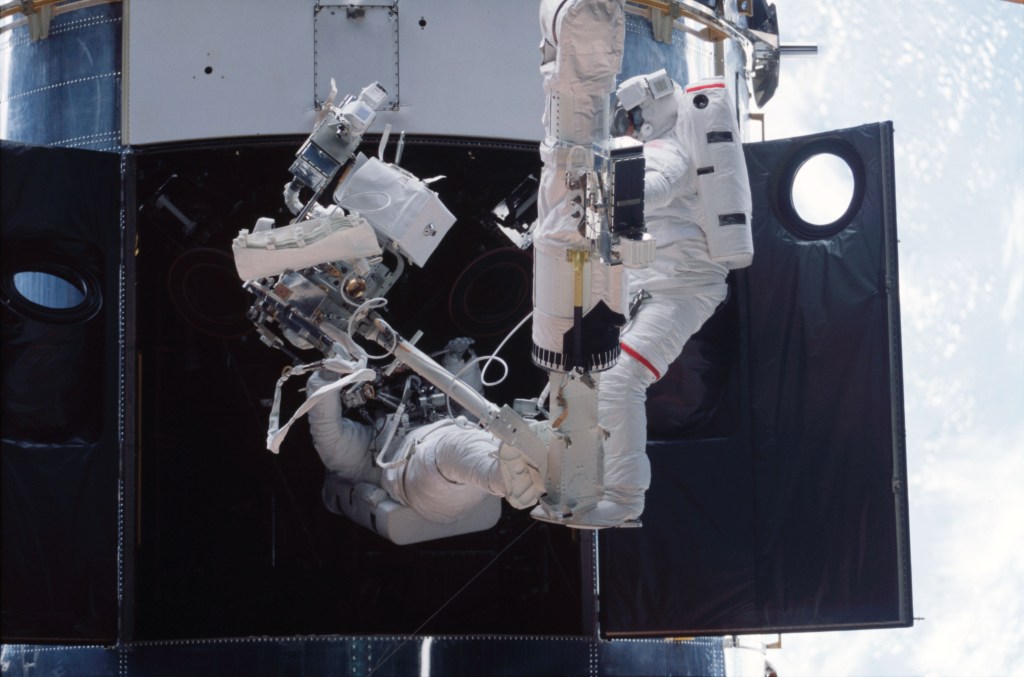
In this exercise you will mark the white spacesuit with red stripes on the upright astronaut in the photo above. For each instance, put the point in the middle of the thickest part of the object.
(685, 285)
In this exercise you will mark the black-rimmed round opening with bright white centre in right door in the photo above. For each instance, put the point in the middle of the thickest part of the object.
(819, 190)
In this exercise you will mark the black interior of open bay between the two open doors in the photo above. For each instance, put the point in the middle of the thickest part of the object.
(234, 540)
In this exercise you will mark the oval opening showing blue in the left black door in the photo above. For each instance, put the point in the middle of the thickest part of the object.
(52, 292)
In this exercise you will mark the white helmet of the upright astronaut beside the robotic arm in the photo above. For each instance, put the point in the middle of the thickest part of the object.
(647, 108)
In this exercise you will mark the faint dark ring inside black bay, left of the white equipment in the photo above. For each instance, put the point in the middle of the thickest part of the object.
(206, 290)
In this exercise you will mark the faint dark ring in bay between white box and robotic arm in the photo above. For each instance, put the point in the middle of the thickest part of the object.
(493, 293)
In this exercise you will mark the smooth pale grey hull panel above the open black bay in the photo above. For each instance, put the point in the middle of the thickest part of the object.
(246, 73)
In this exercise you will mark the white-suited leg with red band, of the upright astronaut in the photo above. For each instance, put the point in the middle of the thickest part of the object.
(686, 290)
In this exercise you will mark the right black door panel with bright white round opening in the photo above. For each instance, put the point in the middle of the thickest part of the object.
(784, 505)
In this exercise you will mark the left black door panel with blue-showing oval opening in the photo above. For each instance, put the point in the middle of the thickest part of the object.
(61, 232)
